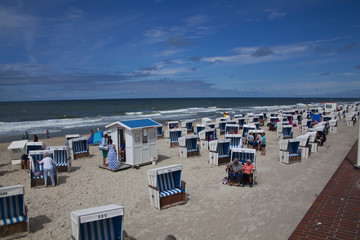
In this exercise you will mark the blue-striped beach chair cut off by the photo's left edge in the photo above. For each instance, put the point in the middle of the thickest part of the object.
(14, 221)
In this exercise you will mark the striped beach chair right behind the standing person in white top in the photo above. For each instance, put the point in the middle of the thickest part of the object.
(36, 173)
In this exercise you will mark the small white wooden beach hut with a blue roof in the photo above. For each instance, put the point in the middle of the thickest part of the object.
(139, 137)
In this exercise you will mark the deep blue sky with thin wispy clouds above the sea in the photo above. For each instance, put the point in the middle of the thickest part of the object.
(167, 48)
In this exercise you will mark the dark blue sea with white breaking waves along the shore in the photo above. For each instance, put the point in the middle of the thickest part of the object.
(81, 116)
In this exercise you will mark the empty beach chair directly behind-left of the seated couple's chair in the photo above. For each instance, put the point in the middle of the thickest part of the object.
(219, 152)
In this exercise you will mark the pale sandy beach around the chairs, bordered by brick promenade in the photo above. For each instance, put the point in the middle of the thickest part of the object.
(270, 210)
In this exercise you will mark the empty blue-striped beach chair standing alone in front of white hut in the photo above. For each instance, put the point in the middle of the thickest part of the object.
(166, 189)
